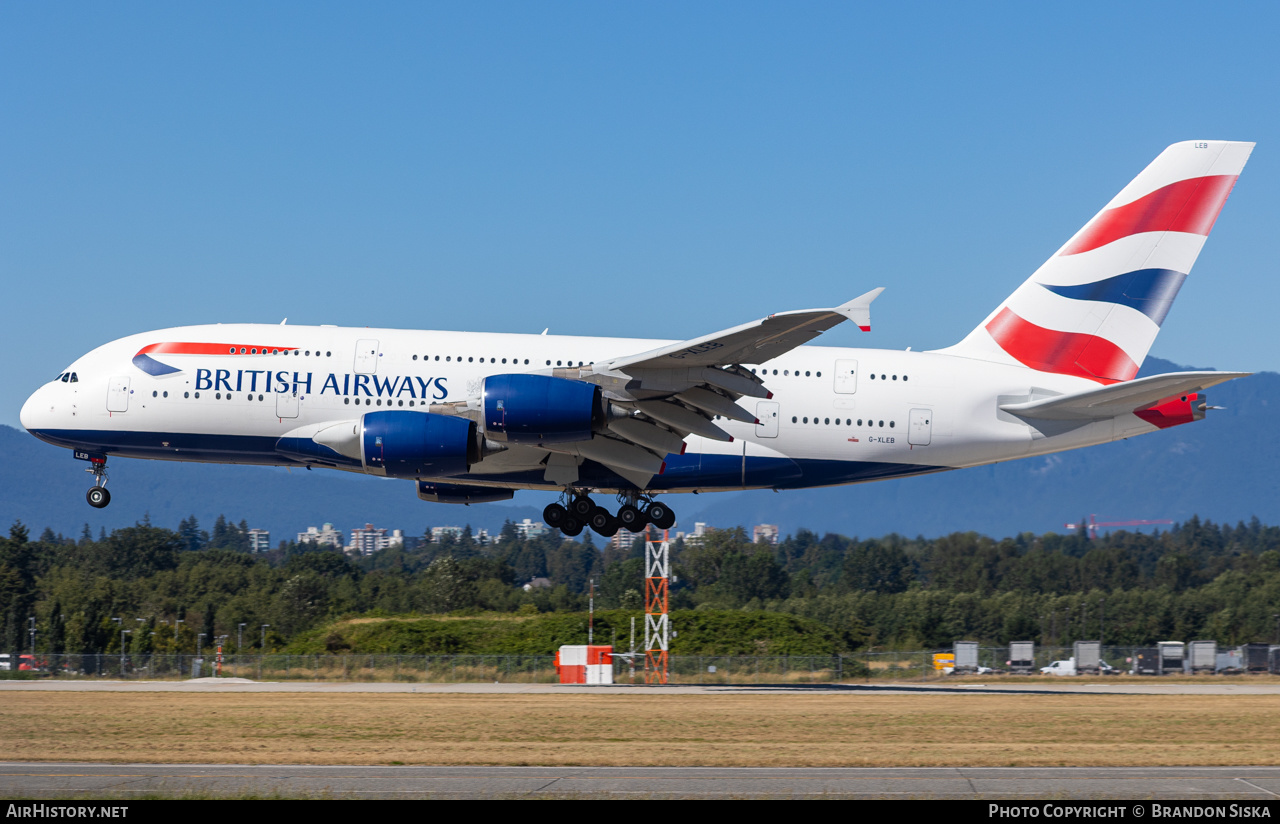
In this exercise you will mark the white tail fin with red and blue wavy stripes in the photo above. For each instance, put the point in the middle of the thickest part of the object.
(1095, 308)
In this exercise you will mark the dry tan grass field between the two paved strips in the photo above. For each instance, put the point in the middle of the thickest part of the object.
(636, 731)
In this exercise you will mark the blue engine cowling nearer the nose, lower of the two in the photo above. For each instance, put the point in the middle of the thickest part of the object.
(417, 445)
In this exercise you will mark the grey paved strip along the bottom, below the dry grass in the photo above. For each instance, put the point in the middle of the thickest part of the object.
(45, 781)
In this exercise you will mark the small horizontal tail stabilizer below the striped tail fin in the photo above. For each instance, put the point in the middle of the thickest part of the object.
(1108, 402)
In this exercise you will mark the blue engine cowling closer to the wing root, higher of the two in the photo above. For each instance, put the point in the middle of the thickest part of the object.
(541, 410)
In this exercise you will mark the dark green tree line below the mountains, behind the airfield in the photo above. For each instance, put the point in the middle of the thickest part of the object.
(147, 589)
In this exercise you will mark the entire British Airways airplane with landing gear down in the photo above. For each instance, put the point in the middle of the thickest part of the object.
(473, 418)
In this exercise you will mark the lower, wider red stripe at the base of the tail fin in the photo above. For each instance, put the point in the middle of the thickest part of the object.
(1062, 353)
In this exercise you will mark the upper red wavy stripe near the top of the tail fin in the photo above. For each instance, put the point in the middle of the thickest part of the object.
(1190, 207)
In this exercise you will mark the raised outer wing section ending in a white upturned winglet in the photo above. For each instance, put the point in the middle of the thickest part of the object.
(751, 344)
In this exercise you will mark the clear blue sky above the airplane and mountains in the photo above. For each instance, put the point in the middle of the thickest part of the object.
(634, 170)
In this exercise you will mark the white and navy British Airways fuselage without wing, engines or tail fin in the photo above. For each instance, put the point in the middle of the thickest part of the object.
(838, 415)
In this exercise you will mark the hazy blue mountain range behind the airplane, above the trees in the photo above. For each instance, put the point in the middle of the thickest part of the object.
(1223, 469)
